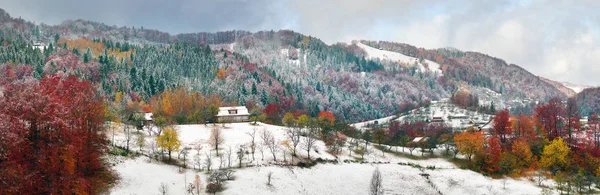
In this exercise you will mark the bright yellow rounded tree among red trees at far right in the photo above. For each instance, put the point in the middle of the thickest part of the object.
(555, 154)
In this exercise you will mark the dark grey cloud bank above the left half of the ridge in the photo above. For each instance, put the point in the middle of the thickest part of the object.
(174, 16)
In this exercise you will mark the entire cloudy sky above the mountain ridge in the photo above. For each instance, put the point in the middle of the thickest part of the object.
(551, 38)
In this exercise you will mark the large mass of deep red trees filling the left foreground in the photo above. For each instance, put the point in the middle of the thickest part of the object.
(51, 139)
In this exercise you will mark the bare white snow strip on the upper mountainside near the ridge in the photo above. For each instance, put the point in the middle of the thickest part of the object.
(400, 58)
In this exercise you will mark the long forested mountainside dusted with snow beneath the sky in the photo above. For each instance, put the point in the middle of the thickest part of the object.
(359, 81)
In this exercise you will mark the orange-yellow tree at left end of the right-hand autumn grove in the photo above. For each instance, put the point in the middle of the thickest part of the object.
(469, 143)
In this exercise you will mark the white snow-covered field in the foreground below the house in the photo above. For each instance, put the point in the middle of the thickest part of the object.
(139, 176)
